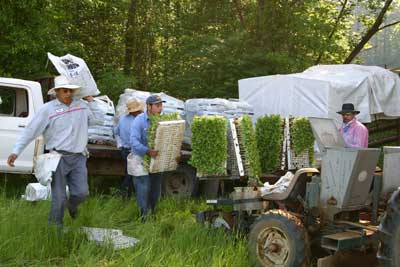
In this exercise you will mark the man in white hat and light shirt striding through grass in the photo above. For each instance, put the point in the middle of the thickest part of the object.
(63, 122)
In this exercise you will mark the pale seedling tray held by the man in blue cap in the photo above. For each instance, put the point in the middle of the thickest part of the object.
(168, 142)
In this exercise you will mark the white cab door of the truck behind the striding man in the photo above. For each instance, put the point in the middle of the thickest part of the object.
(16, 110)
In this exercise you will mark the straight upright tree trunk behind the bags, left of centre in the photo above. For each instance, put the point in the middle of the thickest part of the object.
(130, 37)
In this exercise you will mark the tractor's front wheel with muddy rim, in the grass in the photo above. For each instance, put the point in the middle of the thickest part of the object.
(278, 238)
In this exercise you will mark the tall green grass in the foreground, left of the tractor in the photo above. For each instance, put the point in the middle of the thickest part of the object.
(170, 238)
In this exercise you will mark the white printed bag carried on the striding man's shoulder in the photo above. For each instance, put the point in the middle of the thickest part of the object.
(77, 72)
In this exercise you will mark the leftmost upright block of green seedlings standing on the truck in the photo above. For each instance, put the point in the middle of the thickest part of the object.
(209, 145)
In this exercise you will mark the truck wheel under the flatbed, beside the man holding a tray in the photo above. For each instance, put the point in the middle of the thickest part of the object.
(182, 182)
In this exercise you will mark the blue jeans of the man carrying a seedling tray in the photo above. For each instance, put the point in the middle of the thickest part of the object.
(148, 191)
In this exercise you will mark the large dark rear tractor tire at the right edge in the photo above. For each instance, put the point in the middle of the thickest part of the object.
(389, 250)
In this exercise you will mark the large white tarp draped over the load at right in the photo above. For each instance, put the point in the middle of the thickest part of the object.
(321, 90)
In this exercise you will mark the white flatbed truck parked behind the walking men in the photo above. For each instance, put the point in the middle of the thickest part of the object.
(20, 100)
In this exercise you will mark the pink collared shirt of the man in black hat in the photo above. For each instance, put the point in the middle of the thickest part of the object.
(355, 134)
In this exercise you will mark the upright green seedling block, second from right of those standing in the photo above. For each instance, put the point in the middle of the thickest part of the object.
(269, 133)
